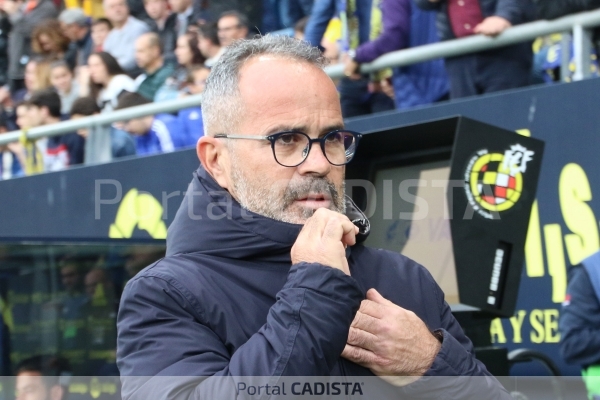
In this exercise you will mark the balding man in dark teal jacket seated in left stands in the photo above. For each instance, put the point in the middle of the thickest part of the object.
(149, 58)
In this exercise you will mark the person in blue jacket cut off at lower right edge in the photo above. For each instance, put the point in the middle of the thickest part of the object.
(579, 322)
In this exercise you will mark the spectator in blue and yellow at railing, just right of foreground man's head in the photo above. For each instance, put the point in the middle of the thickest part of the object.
(359, 95)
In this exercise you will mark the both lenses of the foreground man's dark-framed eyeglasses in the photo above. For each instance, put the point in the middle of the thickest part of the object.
(292, 148)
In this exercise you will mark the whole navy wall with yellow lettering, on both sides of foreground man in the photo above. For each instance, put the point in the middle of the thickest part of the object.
(563, 228)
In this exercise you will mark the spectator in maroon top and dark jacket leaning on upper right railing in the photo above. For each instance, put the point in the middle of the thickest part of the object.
(489, 71)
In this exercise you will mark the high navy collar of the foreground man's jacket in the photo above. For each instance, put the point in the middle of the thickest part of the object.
(210, 221)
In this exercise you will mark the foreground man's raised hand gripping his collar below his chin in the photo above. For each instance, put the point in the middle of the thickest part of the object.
(324, 239)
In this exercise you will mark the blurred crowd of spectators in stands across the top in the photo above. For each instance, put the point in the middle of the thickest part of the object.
(67, 59)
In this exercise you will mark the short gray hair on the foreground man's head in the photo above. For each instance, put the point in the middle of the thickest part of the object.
(221, 105)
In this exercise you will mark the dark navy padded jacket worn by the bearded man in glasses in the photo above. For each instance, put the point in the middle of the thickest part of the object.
(226, 301)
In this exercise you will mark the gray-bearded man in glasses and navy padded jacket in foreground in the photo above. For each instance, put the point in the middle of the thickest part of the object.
(265, 273)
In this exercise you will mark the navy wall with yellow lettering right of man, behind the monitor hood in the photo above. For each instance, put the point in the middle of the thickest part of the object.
(564, 227)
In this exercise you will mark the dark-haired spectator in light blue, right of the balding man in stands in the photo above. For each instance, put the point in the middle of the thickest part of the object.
(188, 56)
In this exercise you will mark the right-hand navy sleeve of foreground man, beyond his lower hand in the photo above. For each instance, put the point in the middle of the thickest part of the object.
(455, 372)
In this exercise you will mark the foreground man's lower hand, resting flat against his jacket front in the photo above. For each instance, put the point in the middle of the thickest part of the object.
(392, 342)
